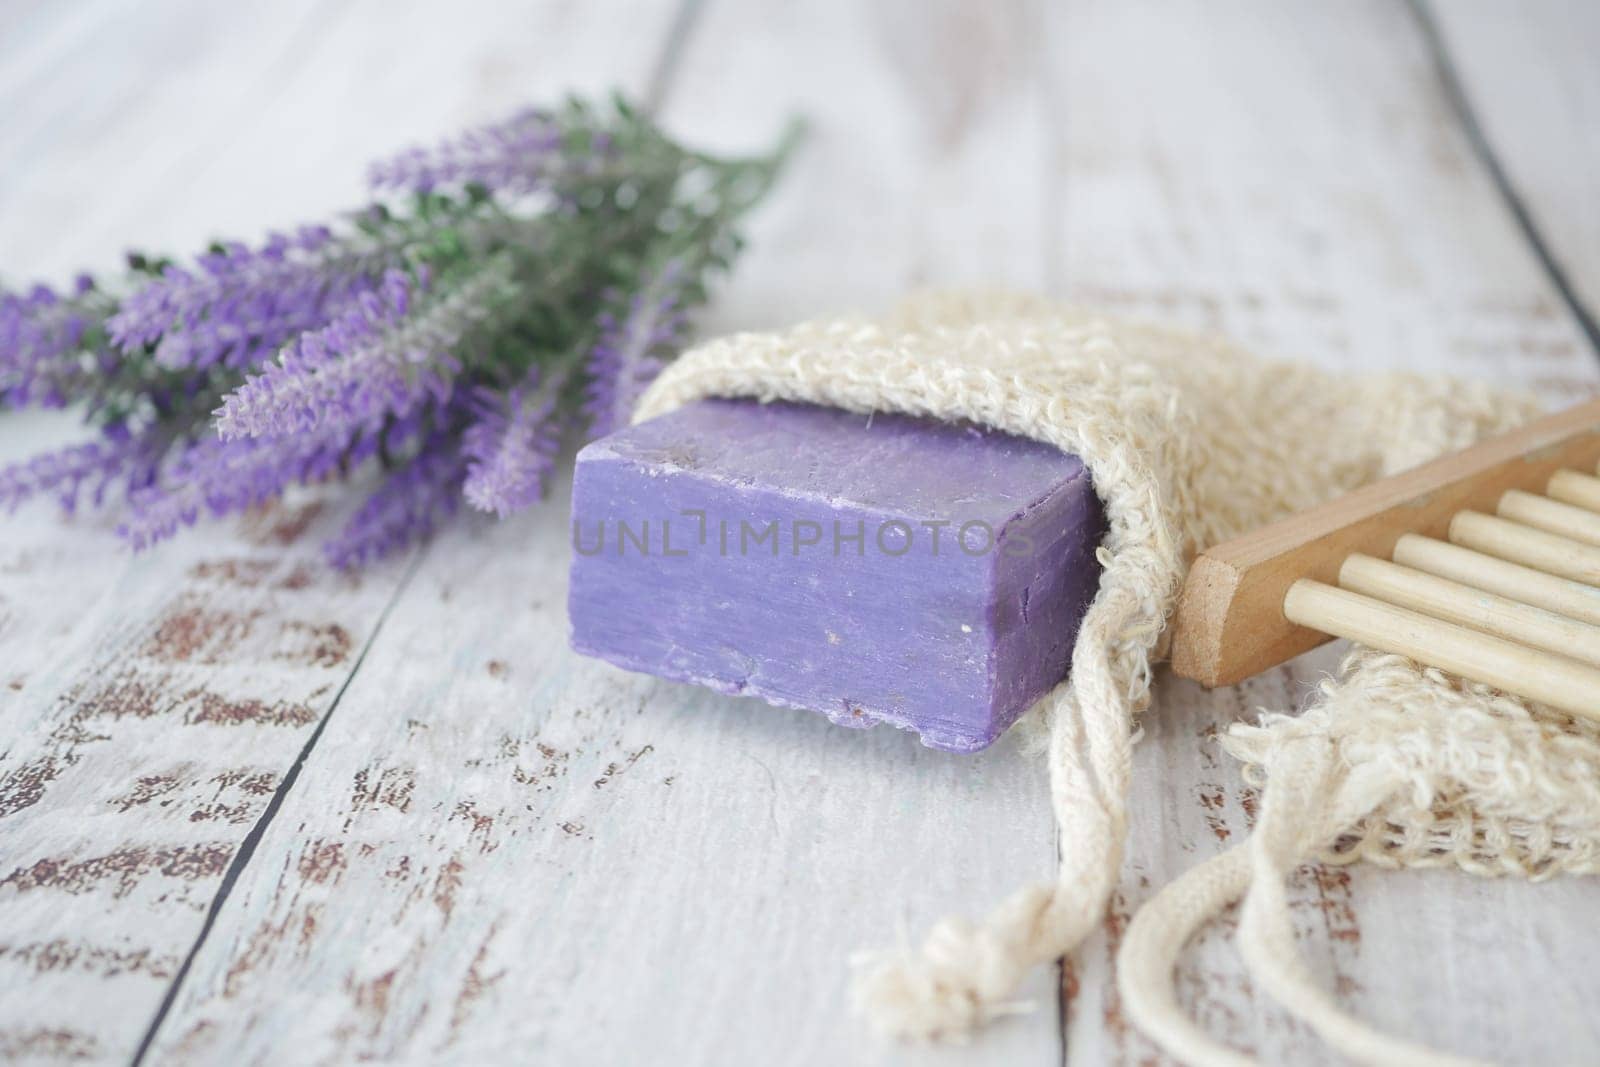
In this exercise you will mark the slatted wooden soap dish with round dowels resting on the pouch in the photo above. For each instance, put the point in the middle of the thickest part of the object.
(1495, 572)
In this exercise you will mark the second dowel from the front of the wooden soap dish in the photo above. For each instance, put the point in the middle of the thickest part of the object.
(1470, 607)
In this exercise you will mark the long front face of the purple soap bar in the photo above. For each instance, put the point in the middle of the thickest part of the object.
(855, 636)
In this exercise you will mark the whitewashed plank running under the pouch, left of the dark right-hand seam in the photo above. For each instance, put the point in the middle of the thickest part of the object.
(1294, 177)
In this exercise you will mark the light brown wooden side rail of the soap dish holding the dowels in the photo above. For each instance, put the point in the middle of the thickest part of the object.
(1230, 621)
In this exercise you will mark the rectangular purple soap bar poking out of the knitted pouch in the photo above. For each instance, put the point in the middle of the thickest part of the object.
(876, 569)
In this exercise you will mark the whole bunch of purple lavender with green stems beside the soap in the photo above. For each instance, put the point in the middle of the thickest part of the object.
(535, 274)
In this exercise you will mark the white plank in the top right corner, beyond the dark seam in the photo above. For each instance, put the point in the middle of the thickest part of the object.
(1529, 73)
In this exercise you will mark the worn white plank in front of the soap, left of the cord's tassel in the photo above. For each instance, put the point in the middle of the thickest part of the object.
(503, 852)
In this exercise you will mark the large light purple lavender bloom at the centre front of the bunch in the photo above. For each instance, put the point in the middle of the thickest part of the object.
(388, 354)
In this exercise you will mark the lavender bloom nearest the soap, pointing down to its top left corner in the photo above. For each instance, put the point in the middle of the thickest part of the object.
(633, 351)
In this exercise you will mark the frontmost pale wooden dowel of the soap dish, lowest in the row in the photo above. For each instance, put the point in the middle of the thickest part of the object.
(1529, 673)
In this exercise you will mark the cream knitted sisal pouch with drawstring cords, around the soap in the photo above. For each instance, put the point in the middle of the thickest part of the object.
(1191, 442)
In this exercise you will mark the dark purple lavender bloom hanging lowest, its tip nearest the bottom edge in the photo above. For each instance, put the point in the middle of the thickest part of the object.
(407, 506)
